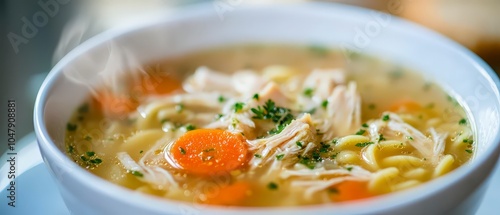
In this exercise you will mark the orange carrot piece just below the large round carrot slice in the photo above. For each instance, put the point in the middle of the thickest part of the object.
(233, 194)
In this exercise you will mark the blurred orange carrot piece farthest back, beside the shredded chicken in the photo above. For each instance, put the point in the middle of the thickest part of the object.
(158, 84)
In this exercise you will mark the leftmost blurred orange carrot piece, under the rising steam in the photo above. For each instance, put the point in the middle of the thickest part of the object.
(114, 105)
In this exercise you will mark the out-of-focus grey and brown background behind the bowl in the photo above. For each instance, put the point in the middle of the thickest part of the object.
(37, 33)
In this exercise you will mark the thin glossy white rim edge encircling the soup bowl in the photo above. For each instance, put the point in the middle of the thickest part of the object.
(124, 195)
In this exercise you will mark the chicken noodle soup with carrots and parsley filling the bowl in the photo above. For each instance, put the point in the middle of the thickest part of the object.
(269, 125)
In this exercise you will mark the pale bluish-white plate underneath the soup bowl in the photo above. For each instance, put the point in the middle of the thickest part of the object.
(37, 192)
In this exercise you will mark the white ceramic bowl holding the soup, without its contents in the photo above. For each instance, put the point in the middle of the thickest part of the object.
(459, 71)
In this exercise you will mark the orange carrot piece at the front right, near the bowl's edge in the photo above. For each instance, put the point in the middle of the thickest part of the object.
(350, 190)
